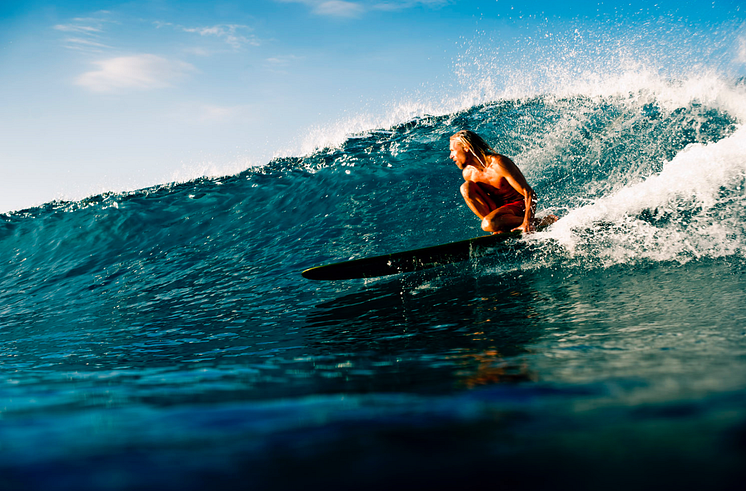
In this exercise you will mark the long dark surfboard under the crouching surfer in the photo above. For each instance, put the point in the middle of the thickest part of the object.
(407, 261)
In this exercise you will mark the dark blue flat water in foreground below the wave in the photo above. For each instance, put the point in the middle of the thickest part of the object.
(538, 380)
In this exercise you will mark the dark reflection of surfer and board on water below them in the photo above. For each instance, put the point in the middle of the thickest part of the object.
(425, 334)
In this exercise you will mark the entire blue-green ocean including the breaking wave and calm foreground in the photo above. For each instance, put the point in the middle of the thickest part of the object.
(164, 339)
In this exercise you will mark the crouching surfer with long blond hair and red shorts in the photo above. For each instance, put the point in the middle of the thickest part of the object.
(494, 187)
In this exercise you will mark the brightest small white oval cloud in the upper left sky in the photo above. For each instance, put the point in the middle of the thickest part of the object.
(140, 72)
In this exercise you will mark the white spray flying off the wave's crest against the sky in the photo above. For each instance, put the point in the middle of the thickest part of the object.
(640, 66)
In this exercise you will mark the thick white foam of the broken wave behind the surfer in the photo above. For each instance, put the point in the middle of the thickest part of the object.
(690, 189)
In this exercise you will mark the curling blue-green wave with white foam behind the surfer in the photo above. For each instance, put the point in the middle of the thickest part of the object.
(634, 176)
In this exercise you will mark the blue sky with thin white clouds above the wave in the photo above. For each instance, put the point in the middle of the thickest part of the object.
(99, 96)
